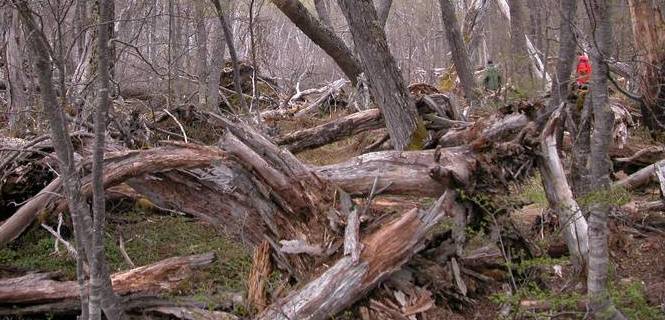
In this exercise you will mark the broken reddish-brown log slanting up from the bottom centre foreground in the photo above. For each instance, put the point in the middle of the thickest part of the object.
(385, 251)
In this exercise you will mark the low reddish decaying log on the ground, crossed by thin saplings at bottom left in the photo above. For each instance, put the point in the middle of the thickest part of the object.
(162, 276)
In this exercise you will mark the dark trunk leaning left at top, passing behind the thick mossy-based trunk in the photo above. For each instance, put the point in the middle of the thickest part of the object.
(322, 36)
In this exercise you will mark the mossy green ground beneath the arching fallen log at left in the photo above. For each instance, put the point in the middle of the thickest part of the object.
(148, 238)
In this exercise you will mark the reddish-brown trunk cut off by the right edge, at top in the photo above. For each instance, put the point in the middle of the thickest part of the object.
(648, 19)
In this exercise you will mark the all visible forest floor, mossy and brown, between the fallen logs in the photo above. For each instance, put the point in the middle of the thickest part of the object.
(546, 283)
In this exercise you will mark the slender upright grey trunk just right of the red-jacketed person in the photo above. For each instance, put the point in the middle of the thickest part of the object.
(600, 303)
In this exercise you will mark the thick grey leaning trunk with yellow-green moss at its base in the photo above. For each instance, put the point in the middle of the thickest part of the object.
(405, 127)
